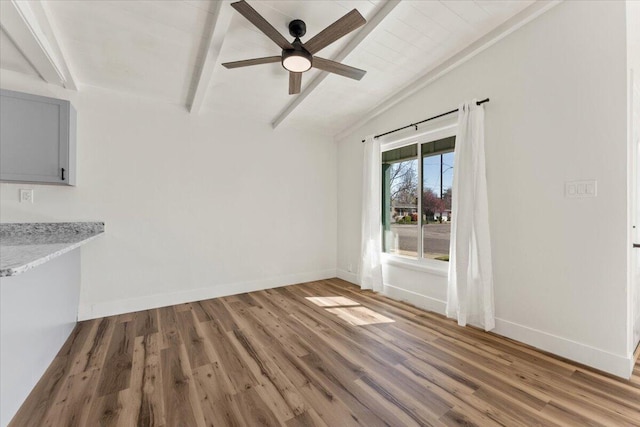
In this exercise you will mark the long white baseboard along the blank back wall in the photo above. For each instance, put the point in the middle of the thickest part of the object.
(129, 305)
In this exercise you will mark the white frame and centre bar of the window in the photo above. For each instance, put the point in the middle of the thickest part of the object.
(442, 129)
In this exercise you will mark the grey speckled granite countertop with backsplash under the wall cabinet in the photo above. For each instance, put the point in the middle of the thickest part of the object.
(27, 245)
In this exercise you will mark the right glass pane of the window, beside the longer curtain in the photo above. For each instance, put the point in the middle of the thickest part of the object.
(437, 179)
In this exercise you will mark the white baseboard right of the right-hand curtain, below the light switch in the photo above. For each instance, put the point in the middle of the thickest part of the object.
(608, 362)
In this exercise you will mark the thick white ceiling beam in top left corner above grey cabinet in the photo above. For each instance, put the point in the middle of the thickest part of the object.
(28, 26)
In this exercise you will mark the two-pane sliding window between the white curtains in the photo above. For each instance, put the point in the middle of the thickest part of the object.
(416, 199)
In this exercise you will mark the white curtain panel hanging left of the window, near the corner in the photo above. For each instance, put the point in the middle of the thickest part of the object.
(370, 271)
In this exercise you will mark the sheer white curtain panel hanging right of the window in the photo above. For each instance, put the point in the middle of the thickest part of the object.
(470, 286)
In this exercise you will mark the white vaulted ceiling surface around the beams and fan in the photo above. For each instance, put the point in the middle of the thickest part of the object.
(155, 49)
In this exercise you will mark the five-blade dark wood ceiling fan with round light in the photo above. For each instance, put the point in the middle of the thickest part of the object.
(298, 57)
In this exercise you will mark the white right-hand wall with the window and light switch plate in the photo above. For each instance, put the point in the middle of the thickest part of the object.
(557, 114)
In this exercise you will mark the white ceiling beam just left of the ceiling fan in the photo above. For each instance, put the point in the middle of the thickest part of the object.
(220, 13)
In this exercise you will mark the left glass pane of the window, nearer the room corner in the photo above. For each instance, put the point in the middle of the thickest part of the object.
(400, 202)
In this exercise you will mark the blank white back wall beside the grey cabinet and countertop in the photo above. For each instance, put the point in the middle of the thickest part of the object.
(195, 206)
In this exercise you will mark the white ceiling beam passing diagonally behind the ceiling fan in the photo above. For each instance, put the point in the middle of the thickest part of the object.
(359, 37)
